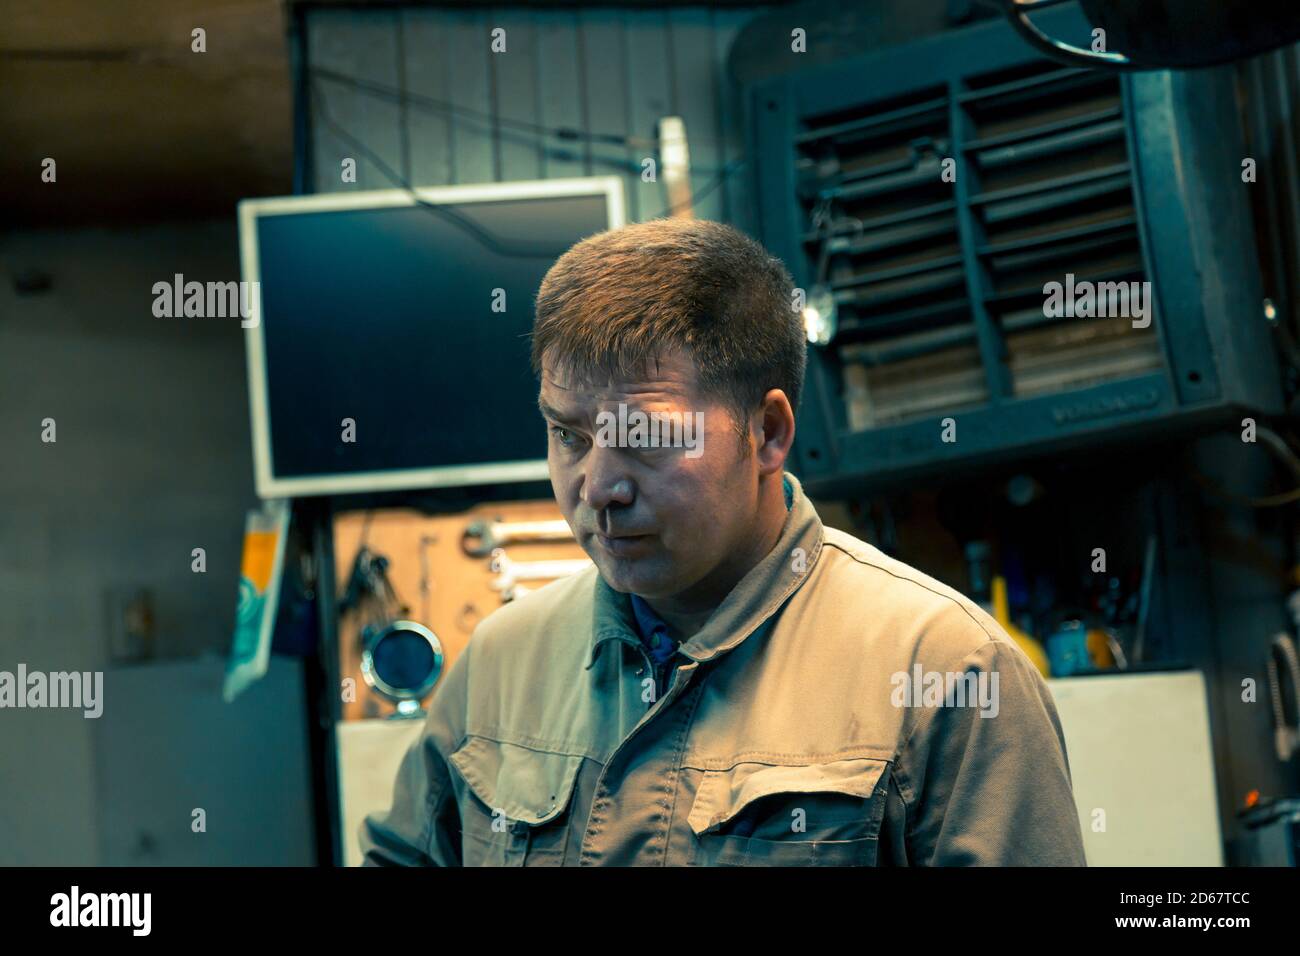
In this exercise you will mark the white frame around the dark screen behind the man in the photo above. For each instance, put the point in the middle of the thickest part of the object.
(268, 485)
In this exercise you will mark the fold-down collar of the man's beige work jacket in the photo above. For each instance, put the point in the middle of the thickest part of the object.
(755, 599)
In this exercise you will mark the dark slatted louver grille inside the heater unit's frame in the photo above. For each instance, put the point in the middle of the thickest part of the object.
(912, 257)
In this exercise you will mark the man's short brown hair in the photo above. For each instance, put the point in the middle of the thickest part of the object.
(623, 297)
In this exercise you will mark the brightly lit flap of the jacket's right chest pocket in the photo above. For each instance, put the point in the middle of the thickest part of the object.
(723, 794)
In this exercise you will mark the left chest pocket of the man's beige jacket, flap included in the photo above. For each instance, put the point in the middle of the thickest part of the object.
(518, 808)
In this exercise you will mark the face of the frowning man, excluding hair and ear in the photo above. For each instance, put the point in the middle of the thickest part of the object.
(668, 524)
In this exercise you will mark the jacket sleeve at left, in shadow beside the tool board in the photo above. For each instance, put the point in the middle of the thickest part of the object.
(423, 825)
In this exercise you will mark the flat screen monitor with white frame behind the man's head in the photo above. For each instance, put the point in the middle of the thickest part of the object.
(388, 332)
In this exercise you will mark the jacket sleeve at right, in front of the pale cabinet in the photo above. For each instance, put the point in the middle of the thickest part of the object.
(990, 785)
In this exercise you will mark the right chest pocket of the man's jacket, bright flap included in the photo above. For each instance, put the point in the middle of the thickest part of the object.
(814, 815)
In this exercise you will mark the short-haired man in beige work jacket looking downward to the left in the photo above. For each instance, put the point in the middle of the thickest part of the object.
(733, 684)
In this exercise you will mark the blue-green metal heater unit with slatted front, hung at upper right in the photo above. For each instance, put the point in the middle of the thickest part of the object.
(928, 194)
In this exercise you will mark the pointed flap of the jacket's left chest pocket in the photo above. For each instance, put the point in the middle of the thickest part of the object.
(526, 785)
